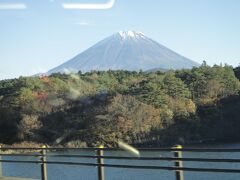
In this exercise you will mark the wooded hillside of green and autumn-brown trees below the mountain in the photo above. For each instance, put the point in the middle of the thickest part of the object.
(103, 107)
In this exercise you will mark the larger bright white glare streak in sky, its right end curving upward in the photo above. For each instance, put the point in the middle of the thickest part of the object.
(107, 5)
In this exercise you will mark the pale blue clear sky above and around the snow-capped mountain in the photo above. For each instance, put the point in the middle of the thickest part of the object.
(42, 34)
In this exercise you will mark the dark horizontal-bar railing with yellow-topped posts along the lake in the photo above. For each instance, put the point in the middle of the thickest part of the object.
(177, 159)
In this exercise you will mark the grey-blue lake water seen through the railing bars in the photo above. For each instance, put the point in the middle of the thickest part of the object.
(66, 172)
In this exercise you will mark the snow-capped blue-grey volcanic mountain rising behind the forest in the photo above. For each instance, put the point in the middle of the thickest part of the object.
(125, 50)
